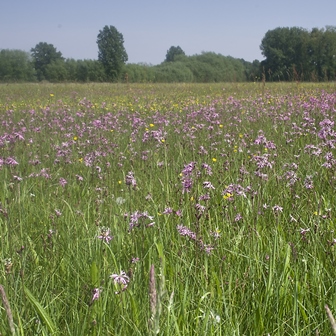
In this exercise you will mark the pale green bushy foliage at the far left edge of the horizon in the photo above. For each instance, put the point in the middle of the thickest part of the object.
(16, 66)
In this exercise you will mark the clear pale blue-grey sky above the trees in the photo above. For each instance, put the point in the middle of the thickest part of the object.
(150, 27)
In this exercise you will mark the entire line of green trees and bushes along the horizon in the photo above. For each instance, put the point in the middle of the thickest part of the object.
(290, 54)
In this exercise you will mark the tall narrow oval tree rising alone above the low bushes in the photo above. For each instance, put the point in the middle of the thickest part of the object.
(111, 52)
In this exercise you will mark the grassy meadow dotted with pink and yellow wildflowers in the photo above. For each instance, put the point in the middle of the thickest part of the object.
(167, 209)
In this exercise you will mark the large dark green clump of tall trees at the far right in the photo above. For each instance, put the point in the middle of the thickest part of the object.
(297, 54)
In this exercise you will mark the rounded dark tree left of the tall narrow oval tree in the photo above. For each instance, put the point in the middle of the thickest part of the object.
(44, 54)
